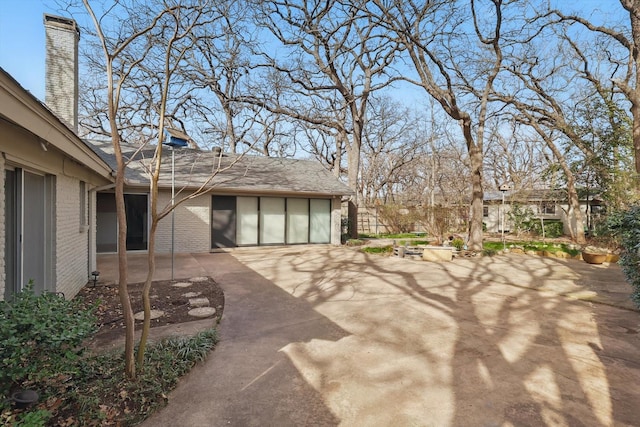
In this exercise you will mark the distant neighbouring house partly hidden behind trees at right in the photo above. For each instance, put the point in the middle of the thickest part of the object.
(548, 205)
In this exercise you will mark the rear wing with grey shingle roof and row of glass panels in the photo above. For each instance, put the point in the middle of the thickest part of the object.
(258, 201)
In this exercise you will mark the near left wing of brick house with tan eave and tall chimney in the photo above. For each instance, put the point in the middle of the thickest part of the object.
(49, 179)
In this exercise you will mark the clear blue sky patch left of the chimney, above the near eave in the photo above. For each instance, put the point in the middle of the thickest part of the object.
(22, 41)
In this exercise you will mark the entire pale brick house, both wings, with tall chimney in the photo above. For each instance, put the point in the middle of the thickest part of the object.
(56, 190)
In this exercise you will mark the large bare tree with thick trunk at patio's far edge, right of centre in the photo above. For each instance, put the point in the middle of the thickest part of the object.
(456, 63)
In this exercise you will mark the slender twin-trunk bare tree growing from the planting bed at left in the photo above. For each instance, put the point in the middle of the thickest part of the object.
(143, 46)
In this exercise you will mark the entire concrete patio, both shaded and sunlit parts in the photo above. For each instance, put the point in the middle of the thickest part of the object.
(331, 336)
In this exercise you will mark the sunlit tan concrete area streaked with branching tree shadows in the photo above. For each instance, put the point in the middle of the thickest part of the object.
(474, 342)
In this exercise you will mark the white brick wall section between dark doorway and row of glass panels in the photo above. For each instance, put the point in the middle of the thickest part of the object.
(192, 225)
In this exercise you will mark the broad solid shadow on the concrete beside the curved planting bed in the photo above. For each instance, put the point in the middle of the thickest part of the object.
(247, 380)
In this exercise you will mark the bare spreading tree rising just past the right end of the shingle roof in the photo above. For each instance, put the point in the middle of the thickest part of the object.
(340, 55)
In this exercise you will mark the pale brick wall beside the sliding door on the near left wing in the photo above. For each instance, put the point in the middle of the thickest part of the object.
(71, 242)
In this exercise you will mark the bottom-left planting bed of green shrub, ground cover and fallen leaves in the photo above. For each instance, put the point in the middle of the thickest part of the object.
(79, 388)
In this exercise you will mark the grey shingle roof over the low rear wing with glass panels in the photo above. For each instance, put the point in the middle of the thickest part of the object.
(246, 174)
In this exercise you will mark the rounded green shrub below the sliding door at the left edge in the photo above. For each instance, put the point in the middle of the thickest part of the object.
(40, 335)
